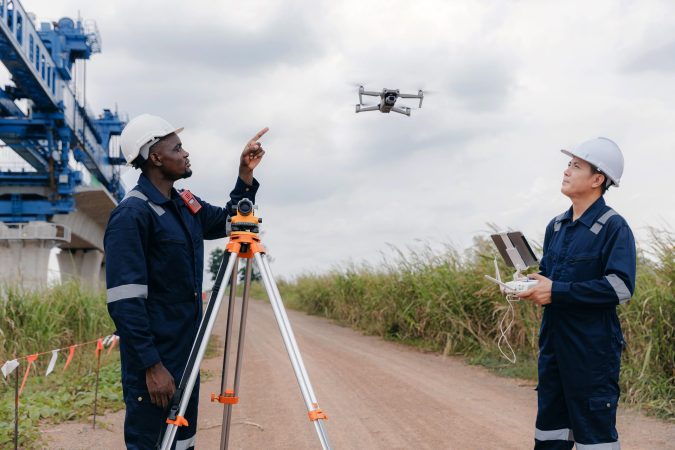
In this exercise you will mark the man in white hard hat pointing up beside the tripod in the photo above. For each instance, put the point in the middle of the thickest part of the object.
(154, 252)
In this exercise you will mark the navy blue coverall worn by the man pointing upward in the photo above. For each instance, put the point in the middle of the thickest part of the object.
(154, 255)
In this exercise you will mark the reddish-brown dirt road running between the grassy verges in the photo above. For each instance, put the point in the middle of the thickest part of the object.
(378, 395)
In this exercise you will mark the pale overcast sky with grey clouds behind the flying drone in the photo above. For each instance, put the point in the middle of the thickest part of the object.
(510, 83)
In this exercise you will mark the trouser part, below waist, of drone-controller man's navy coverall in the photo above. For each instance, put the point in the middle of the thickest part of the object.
(578, 391)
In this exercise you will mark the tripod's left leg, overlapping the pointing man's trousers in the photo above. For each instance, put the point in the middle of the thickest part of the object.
(187, 384)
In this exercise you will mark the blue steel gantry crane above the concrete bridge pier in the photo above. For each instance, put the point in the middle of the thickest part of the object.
(43, 121)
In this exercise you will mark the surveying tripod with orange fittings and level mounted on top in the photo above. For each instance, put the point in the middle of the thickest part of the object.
(244, 243)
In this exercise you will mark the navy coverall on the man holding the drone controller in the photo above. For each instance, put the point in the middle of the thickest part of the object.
(592, 264)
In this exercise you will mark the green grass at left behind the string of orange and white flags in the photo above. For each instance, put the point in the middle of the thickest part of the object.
(33, 322)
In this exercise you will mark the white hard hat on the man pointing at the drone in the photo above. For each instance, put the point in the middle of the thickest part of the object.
(141, 133)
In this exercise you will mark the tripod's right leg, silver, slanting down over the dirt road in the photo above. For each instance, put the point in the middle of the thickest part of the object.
(293, 351)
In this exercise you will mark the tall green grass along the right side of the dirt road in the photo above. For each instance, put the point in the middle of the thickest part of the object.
(441, 302)
